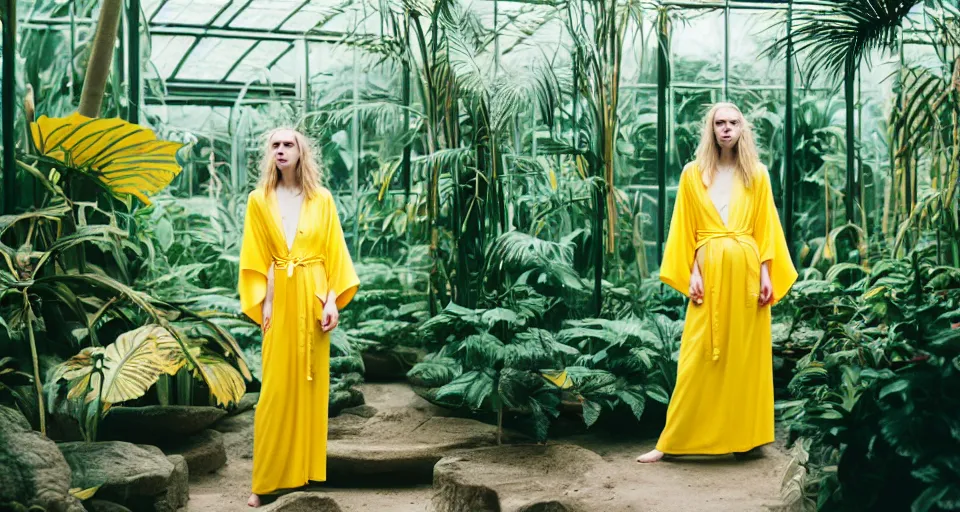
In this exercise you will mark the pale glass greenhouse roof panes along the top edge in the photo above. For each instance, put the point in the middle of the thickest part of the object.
(234, 42)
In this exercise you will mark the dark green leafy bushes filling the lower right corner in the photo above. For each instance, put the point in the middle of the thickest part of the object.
(877, 397)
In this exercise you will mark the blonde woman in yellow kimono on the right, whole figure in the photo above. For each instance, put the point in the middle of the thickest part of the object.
(726, 251)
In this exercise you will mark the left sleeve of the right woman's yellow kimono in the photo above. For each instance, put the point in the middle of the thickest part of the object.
(680, 248)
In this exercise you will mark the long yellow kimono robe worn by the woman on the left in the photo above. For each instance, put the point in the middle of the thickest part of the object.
(290, 425)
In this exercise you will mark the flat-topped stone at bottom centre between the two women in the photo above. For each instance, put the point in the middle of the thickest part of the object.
(524, 478)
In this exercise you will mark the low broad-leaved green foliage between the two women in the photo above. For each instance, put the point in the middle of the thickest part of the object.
(498, 360)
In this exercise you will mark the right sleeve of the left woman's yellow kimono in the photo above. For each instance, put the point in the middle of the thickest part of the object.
(341, 276)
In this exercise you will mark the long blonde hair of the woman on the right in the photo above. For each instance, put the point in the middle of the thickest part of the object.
(708, 152)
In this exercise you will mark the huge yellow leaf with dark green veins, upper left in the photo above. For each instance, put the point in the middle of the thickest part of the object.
(126, 157)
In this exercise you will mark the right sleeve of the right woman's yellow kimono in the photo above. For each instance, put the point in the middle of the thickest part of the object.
(771, 241)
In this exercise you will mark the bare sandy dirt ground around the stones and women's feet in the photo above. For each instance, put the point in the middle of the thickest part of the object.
(675, 485)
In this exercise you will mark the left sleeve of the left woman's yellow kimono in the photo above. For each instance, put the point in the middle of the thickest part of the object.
(254, 261)
